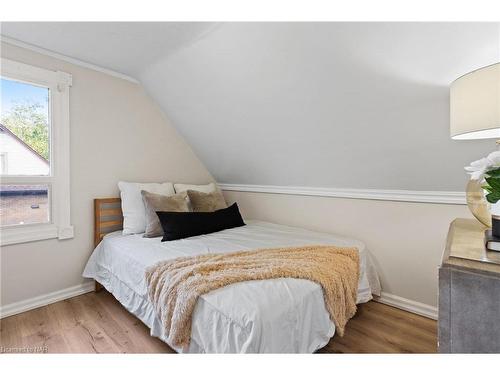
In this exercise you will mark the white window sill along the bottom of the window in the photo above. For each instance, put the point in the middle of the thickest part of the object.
(11, 236)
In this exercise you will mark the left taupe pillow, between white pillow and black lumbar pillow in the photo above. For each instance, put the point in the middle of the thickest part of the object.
(156, 202)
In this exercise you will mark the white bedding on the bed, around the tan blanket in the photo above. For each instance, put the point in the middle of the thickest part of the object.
(274, 316)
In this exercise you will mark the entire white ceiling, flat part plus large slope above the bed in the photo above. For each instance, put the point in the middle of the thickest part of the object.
(357, 105)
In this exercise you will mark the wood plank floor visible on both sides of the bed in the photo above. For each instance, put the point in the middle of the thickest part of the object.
(97, 323)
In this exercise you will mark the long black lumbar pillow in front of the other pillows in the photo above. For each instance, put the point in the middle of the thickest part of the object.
(177, 225)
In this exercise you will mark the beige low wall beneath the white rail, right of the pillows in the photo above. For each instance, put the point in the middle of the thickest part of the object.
(405, 239)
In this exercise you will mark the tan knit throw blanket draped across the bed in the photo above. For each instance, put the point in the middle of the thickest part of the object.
(175, 285)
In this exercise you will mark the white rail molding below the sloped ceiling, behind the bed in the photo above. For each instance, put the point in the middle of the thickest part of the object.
(442, 197)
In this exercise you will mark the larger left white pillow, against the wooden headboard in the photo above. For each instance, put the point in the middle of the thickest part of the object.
(134, 212)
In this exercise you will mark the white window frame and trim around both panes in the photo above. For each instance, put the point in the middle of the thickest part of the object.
(58, 179)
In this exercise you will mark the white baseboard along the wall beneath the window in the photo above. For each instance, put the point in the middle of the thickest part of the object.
(45, 299)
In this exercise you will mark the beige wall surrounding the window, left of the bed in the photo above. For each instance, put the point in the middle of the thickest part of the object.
(117, 133)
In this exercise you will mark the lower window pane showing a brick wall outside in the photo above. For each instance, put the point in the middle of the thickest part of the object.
(24, 204)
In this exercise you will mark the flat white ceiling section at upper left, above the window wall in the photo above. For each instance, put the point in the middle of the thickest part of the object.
(125, 47)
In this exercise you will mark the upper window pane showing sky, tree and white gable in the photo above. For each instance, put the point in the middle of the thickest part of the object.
(24, 129)
